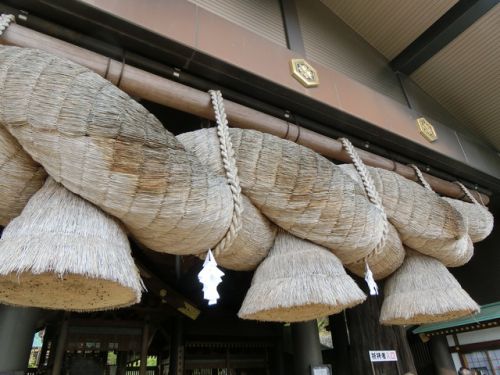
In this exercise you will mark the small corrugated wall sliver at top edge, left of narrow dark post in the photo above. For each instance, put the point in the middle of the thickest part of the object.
(263, 17)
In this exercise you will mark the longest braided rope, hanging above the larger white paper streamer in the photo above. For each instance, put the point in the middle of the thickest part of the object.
(229, 163)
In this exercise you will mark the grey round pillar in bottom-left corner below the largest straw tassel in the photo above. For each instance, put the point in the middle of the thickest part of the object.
(17, 327)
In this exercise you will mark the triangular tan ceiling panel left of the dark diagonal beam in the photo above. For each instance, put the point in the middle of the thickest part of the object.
(390, 25)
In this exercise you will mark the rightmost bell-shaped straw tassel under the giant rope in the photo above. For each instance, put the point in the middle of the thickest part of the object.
(424, 291)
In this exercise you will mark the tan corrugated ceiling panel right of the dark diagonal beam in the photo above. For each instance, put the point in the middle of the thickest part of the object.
(465, 77)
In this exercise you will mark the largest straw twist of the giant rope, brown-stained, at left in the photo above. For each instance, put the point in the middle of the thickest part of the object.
(101, 144)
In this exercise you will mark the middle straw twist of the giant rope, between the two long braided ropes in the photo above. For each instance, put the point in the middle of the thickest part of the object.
(299, 190)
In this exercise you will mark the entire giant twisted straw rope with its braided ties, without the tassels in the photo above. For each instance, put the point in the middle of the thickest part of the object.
(184, 195)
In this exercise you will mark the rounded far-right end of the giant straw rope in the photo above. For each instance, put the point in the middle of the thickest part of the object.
(478, 220)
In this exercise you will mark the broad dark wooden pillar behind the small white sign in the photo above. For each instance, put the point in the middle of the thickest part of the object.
(366, 333)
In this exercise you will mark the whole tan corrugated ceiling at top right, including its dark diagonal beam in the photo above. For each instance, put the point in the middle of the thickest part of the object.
(449, 48)
